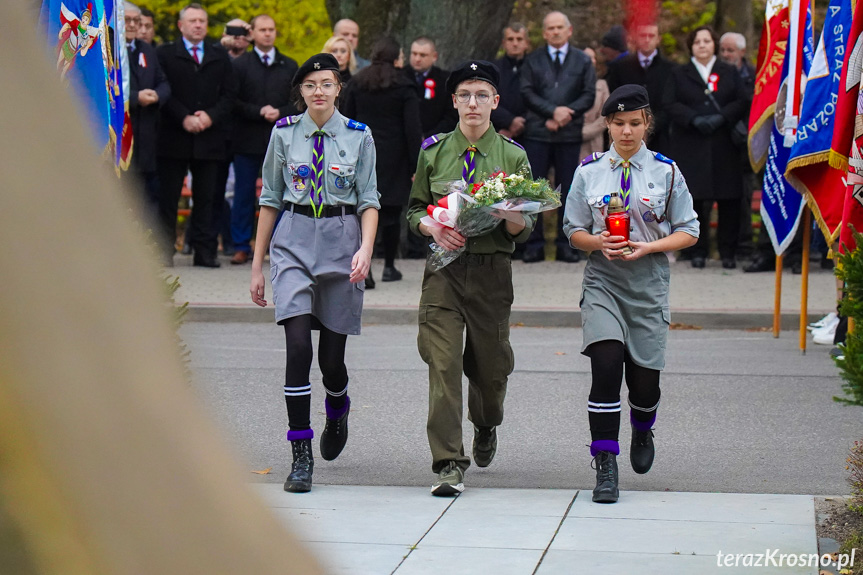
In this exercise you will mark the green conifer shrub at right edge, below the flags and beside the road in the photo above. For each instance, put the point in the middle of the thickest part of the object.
(850, 271)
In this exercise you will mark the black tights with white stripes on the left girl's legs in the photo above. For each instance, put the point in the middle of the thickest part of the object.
(331, 359)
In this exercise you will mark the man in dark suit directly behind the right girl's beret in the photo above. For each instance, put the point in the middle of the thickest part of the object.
(648, 68)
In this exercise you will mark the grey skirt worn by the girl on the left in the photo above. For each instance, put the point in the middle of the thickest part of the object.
(310, 265)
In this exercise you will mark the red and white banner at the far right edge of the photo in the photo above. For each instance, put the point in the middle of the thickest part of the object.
(847, 149)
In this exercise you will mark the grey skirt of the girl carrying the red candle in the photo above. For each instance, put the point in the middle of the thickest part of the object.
(628, 302)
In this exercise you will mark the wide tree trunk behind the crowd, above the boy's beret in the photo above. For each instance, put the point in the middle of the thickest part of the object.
(461, 29)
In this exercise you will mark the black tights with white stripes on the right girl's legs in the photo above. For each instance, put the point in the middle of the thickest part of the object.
(607, 361)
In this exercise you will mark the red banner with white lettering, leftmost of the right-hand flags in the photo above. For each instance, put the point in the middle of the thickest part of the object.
(771, 55)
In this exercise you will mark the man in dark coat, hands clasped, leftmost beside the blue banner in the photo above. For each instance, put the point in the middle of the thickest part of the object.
(148, 91)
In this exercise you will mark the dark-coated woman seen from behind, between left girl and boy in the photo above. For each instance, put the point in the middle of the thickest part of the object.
(384, 99)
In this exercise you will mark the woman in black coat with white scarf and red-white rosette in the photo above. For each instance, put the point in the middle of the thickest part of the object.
(704, 99)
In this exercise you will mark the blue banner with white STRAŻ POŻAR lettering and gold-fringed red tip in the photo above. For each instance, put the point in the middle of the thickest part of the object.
(808, 170)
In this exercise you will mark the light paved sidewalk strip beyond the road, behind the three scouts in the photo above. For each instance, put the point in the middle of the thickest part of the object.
(546, 294)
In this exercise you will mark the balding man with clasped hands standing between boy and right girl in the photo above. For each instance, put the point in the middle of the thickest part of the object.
(558, 83)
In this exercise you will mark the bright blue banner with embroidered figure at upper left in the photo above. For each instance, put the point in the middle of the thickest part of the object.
(76, 31)
